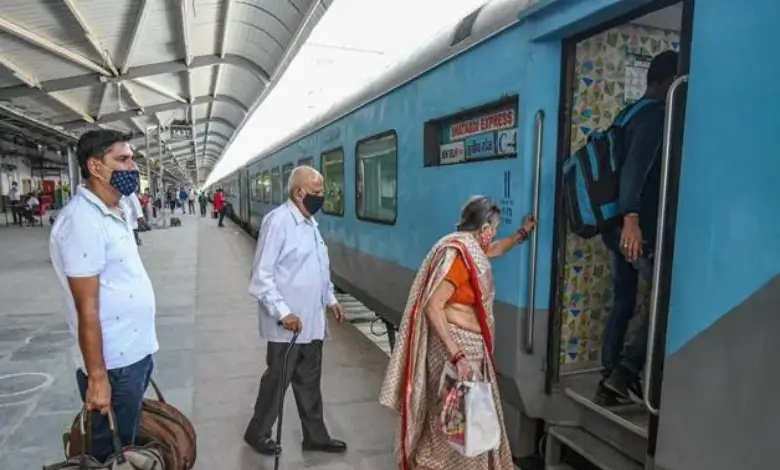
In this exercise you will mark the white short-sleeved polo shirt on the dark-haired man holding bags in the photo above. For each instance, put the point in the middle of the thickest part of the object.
(87, 240)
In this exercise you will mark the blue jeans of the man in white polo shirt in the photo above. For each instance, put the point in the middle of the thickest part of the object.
(128, 385)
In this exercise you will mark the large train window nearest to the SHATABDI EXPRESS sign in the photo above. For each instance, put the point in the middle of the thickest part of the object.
(376, 177)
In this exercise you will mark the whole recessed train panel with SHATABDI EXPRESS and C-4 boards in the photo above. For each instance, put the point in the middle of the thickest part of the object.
(488, 132)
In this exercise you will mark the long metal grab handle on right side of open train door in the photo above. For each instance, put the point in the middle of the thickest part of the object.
(655, 292)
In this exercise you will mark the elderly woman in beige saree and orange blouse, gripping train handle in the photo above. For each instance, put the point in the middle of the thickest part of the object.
(448, 317)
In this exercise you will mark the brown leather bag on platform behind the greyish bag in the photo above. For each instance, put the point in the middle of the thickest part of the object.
(160, 422)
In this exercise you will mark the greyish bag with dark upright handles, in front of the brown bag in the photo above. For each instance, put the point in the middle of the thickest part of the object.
(146, 457)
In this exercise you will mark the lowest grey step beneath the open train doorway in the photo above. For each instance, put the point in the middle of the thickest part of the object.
(588, 446)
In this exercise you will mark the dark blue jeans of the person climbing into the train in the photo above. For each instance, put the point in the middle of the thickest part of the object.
(625, 278)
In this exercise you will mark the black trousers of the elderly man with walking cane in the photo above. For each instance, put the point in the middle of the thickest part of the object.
(304, 370)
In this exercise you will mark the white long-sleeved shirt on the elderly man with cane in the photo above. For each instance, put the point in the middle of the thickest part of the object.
(291, 274)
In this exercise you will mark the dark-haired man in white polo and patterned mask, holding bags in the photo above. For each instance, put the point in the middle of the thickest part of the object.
(109, 296)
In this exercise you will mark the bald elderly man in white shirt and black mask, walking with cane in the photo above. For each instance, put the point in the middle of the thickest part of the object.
(291, 281)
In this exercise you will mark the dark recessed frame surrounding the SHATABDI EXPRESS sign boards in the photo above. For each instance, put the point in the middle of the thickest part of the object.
(433, 129)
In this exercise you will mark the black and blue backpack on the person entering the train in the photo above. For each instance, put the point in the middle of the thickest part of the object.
(591, 177)
